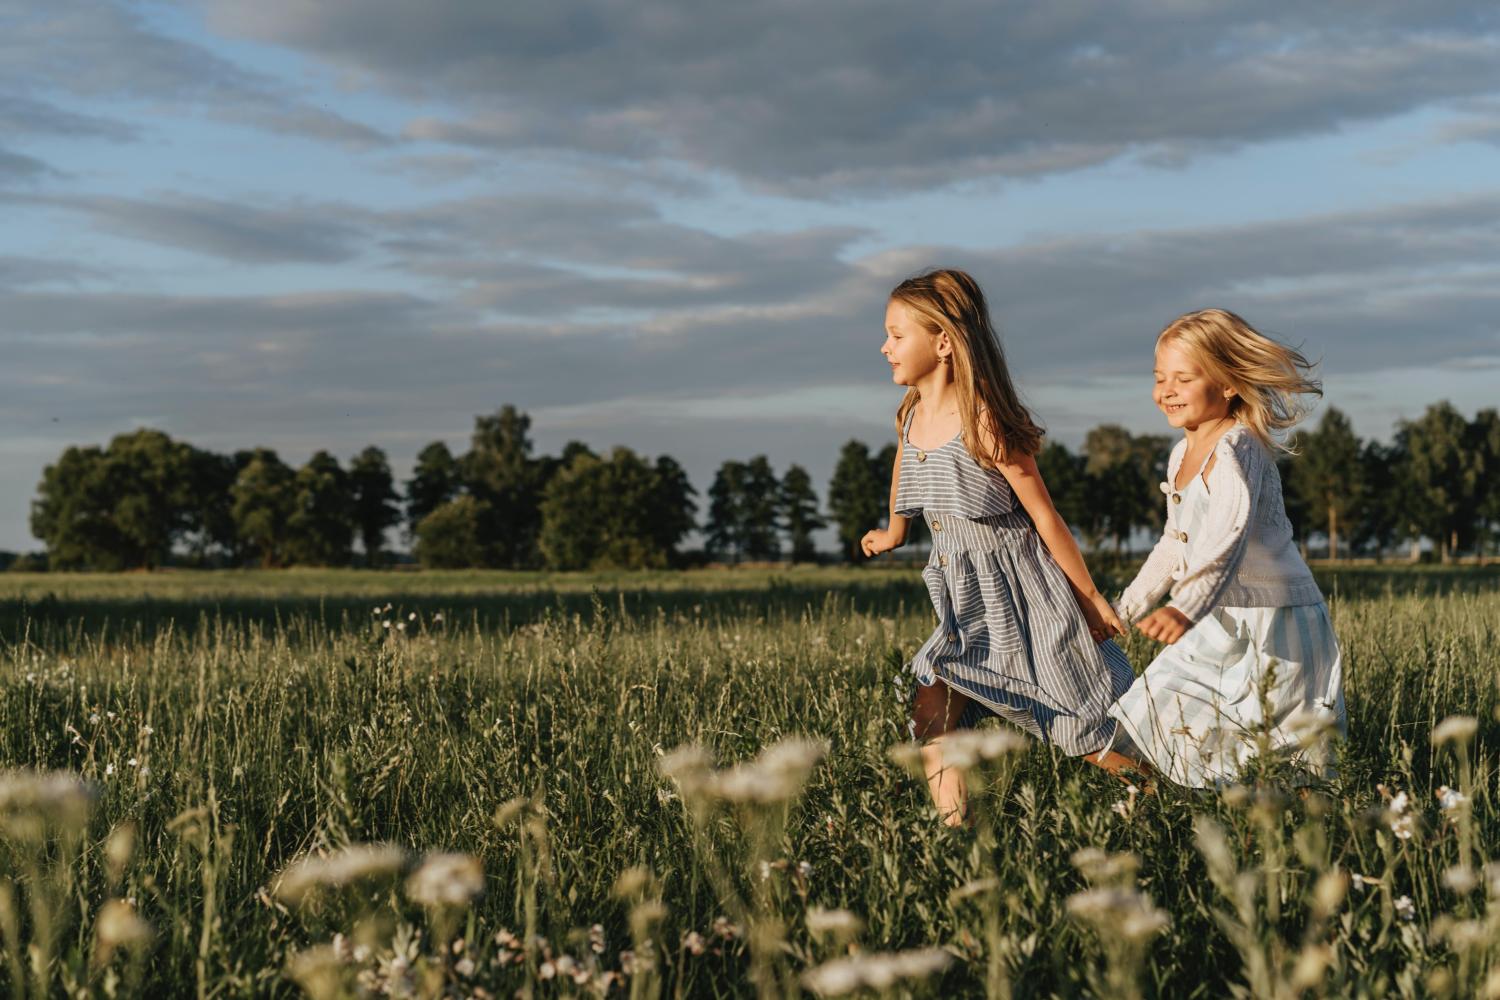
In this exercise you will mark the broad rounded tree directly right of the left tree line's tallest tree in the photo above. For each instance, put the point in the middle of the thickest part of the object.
(602, 513)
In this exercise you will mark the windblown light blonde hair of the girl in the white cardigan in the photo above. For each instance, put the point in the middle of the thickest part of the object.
(1270, 380)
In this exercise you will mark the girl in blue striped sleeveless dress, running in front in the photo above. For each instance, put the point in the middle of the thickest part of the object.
(1009, 588)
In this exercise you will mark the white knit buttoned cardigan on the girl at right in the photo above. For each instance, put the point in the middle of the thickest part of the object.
(1244, 555)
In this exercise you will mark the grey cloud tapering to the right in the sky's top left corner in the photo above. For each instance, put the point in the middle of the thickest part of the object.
(103, 50)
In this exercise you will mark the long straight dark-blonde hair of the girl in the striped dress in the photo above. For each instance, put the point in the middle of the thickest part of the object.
(950, 302)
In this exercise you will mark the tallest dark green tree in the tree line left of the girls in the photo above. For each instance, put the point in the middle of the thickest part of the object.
(500, 473)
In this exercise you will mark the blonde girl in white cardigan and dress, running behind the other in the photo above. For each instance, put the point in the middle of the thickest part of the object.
(1258, 656)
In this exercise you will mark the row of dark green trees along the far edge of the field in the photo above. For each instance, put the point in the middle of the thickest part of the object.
(146, 500)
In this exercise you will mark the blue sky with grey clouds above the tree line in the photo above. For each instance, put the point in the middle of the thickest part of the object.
(674, 226)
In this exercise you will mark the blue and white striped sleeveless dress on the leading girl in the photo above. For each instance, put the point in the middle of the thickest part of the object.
(1010, 635)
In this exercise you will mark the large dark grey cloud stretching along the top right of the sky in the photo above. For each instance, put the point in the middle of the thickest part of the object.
(854, 95)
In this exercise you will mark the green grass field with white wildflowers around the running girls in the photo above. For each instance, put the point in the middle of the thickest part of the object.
(508, 734)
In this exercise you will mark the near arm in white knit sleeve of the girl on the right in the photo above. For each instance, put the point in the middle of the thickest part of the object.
(1237, 476)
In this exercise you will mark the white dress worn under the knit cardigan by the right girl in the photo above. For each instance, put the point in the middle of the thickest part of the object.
(1241, 681)
